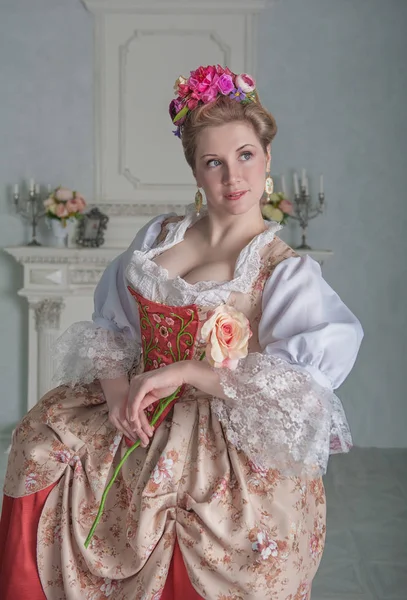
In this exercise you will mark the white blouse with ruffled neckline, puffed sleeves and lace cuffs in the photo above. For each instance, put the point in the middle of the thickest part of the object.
(309, 342)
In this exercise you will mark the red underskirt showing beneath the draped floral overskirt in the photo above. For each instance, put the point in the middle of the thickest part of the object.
(19, 579)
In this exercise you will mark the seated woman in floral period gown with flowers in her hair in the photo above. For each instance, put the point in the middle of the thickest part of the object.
(224, 499)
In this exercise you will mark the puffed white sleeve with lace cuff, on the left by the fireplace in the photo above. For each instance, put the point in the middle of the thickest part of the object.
(107, 346)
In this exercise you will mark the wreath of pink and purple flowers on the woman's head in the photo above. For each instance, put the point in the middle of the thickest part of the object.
(203, 86)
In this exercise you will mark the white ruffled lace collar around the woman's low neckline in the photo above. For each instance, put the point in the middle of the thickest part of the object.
(247, 266)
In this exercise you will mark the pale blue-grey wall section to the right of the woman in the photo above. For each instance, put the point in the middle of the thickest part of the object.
(334, 75)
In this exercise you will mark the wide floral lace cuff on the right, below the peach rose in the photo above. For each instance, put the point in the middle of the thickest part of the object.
(280, 416)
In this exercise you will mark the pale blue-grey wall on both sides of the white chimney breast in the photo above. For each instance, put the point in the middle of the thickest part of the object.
(333, 75)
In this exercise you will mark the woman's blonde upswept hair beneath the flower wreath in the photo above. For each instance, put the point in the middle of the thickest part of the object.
(221, 111)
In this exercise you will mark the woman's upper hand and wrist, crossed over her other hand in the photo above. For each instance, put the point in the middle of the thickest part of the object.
(147, 388)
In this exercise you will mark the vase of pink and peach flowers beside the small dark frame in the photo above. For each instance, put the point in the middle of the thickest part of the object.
(63, 208)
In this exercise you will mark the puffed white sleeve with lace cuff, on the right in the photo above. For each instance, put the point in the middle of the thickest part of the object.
(281, 409)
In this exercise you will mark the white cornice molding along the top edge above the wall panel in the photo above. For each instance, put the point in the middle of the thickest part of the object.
(176, 6)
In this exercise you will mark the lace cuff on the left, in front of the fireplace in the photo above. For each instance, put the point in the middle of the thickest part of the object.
(85, 352)
